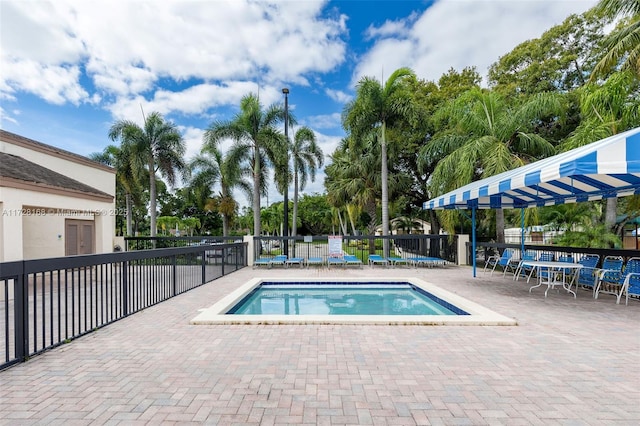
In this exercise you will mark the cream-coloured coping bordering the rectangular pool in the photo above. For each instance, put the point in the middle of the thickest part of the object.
(478, 315)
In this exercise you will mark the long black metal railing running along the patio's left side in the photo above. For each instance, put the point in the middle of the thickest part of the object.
(47, 302)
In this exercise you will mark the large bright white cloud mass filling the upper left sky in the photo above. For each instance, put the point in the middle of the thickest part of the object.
(128, 48)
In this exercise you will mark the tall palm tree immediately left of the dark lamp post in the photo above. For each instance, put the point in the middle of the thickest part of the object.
(256, 141)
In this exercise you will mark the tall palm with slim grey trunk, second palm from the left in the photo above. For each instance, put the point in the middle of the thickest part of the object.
(158, 146)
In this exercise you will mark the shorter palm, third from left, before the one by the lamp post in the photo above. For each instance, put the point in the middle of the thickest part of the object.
(211, 167)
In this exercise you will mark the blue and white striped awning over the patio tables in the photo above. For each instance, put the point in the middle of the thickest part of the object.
(604, 169)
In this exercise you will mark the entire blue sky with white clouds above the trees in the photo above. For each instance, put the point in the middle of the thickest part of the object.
(70, 68)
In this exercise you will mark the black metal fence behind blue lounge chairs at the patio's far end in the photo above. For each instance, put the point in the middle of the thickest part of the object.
(404, 246)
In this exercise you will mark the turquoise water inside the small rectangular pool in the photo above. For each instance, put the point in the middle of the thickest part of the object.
(342, 299)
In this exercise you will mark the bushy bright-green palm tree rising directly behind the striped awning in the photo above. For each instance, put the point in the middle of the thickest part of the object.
(487, 136)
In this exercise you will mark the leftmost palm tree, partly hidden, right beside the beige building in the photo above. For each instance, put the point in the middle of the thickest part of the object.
(127, 177)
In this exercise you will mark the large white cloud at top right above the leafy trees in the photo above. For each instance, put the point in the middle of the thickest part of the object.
(461, 33)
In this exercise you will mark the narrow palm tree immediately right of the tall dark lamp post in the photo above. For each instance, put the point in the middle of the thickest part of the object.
(307, 158)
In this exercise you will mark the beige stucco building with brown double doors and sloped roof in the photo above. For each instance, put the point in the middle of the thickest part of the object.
(52, 202)
